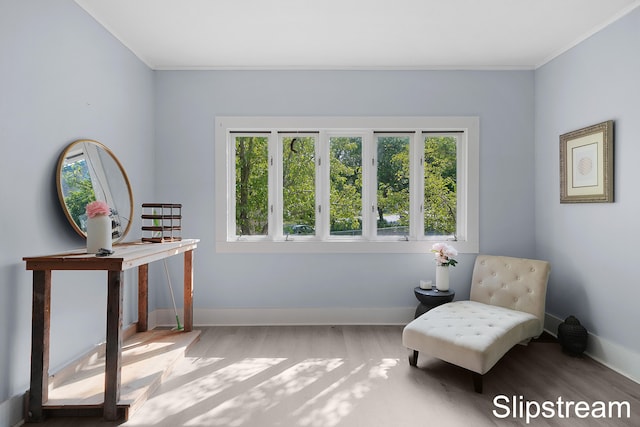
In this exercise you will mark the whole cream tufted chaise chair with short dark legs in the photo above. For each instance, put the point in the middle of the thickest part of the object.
(506, 307)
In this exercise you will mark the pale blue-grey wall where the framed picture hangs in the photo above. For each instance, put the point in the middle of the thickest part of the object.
(595, 268)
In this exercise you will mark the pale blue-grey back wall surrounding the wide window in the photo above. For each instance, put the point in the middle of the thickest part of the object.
(188, 102)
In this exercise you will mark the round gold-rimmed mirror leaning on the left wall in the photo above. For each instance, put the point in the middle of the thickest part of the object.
(88, 171)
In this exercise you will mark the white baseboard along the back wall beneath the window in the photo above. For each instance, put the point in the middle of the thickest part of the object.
(288, 316)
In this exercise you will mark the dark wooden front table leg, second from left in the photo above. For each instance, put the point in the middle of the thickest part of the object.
(113, 355)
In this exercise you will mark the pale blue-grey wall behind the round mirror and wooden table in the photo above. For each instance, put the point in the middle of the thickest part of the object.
(62, 78)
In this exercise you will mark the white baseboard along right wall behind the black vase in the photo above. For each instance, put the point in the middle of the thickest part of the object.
(614, 356)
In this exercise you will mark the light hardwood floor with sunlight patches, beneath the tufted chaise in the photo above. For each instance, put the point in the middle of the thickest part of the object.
(352, 376)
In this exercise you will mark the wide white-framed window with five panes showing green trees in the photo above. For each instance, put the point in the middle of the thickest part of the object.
(346, 184)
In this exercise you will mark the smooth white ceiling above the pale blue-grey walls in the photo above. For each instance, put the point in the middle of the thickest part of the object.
(352, 34)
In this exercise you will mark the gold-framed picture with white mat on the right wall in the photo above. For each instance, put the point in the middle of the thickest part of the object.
(586, 165)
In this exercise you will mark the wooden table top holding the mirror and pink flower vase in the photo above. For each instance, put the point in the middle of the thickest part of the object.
(126, 255)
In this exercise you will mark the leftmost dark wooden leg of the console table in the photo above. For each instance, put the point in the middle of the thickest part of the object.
(40, 328)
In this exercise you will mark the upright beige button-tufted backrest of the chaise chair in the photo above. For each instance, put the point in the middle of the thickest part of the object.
(515, 283)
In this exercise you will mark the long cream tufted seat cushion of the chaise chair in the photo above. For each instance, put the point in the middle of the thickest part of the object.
(470, 334)
